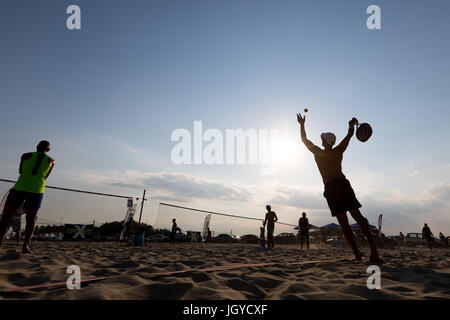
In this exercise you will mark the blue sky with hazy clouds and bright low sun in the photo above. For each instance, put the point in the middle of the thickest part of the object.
(109, 96)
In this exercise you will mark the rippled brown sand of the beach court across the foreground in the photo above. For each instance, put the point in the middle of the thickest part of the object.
(409, 273)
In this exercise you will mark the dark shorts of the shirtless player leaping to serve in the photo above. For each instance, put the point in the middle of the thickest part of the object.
(340, 196)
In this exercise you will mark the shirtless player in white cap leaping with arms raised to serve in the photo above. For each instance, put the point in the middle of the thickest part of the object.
(338, 191)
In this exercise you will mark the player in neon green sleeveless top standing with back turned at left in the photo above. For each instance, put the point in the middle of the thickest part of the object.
(34, 169)
